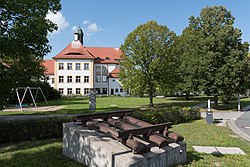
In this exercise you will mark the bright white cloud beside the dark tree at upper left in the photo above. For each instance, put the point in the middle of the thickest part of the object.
(59, 20)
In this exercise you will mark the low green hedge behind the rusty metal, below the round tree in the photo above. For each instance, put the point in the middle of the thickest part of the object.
(172, 114)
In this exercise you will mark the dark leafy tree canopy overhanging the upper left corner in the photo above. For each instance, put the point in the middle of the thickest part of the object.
(24, 27)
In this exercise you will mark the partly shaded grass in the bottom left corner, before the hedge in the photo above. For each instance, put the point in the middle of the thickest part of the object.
(36, 153)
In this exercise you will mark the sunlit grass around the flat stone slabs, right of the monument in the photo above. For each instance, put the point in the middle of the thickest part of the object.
(199, 133)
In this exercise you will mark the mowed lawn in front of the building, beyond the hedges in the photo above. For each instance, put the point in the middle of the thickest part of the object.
(76, 105)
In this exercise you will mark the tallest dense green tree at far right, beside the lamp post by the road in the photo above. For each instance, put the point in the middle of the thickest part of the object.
(217, 54)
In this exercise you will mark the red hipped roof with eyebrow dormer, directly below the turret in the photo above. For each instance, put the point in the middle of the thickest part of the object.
(74, 50)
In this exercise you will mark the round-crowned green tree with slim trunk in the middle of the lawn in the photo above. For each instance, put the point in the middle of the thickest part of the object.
(148, 61)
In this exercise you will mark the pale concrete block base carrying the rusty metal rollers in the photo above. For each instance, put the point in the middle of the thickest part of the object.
(95, 149)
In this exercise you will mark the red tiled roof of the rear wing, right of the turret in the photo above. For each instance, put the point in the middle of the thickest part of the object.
(106, 55)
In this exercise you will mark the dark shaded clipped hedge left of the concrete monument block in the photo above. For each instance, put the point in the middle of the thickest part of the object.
(33, 129)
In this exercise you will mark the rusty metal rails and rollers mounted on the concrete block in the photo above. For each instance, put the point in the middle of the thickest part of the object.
(138, 135)
